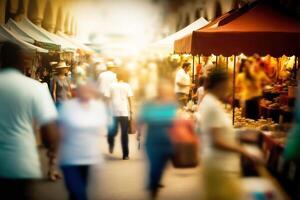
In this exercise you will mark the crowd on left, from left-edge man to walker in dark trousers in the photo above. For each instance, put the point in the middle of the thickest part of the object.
(71, 122)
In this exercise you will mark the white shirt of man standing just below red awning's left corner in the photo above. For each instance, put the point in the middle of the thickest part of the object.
(183, 78)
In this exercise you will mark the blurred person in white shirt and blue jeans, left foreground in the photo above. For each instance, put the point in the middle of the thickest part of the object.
(82, 121)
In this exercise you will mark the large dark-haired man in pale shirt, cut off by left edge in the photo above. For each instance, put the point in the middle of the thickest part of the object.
(23, 101)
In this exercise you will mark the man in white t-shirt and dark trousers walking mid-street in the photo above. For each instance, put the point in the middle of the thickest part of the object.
(119, 95)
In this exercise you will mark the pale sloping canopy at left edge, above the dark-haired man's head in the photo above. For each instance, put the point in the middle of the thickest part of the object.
(6, 35)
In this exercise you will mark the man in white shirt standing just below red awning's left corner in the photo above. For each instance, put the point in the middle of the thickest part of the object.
(183, 83)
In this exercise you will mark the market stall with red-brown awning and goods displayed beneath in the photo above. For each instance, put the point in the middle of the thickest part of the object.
(257, 28)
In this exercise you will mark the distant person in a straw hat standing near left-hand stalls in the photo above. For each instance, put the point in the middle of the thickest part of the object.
(61, 85)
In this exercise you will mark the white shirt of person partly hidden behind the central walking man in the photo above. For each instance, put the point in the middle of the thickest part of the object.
(105, 79)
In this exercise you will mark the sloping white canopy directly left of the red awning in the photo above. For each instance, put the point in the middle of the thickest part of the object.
(166, 45)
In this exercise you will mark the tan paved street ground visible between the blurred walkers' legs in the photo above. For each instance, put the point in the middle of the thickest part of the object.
(125, 180)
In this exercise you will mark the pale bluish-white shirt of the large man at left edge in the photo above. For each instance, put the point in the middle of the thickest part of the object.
(22, 101)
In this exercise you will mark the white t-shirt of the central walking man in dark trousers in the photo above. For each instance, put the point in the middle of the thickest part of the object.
(118, 94)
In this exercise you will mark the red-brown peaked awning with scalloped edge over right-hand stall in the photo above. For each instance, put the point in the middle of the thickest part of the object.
(256, 28)
